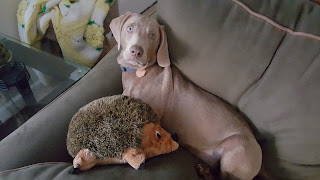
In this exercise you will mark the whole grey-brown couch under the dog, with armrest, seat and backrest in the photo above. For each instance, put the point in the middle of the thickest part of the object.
(247, 52)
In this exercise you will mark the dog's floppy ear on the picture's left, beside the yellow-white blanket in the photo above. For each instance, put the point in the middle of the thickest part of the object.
(116, 26)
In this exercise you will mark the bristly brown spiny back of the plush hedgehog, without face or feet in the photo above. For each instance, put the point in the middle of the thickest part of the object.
(108, 126)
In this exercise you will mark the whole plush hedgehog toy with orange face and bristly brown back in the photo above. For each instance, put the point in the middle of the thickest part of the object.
(116, 130)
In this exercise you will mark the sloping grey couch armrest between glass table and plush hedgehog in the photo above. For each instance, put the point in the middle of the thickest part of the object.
(43, 137)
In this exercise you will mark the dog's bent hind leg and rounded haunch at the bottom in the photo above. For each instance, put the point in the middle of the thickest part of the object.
(241, 158)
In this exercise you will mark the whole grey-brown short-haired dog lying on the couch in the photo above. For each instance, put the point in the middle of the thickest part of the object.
(207, 126)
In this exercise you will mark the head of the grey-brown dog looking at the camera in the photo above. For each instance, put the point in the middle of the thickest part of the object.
(143, 42)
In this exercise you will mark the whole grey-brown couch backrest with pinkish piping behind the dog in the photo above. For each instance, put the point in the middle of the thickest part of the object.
(245, 52)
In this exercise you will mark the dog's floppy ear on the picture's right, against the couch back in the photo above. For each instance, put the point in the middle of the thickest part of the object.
(163, 54)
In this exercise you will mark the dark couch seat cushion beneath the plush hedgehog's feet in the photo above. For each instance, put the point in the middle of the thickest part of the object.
(176, 165)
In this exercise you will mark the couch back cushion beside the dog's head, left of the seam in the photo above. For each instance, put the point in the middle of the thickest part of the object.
(218, 45)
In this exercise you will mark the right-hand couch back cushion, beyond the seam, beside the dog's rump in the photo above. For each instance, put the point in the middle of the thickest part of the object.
(284, 104)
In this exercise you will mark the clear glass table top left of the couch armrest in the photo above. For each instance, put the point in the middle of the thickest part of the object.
(50, 76)
